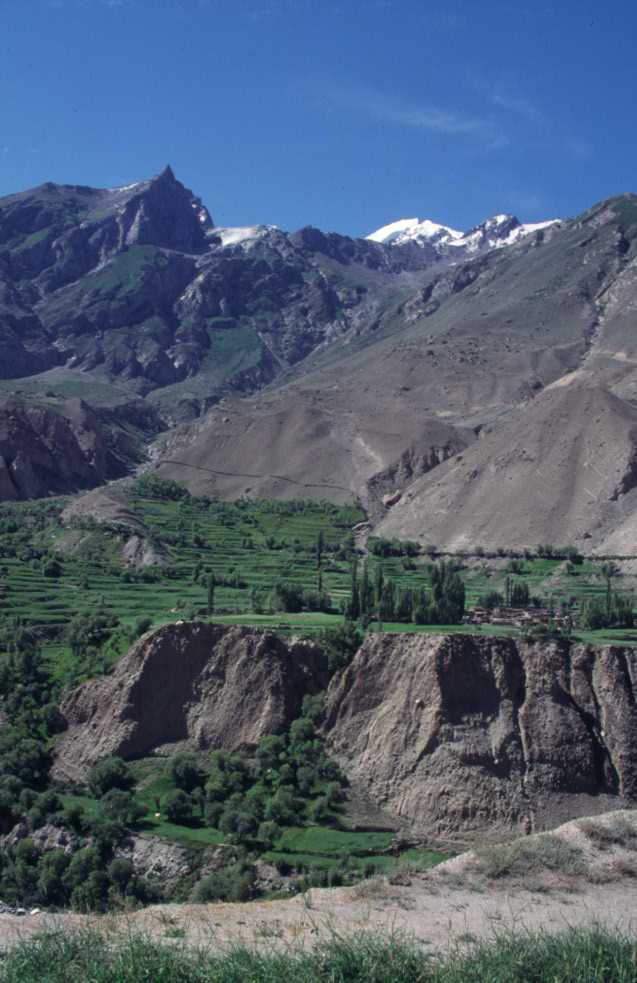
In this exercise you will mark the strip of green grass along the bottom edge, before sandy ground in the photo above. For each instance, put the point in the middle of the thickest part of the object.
(593, 956)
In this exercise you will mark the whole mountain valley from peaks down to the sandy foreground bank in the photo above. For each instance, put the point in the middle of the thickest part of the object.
(317, 554)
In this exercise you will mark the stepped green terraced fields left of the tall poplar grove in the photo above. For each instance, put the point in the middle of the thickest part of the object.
(251, 544)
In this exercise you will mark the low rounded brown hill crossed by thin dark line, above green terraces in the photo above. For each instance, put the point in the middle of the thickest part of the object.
(316, 444)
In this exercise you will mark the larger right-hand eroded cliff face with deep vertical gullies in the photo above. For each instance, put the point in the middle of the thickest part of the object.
(458, 734)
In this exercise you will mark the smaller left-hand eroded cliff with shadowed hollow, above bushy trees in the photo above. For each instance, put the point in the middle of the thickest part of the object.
(208, 685)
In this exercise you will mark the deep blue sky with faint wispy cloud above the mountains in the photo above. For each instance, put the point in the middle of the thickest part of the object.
(344, 114)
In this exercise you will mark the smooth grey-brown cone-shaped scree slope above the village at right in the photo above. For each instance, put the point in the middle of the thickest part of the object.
(562, 470)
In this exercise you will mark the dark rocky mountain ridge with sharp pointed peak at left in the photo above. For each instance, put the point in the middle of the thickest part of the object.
(136, 284)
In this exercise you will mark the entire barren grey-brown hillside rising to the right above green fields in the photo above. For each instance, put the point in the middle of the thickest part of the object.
(478, 345)
